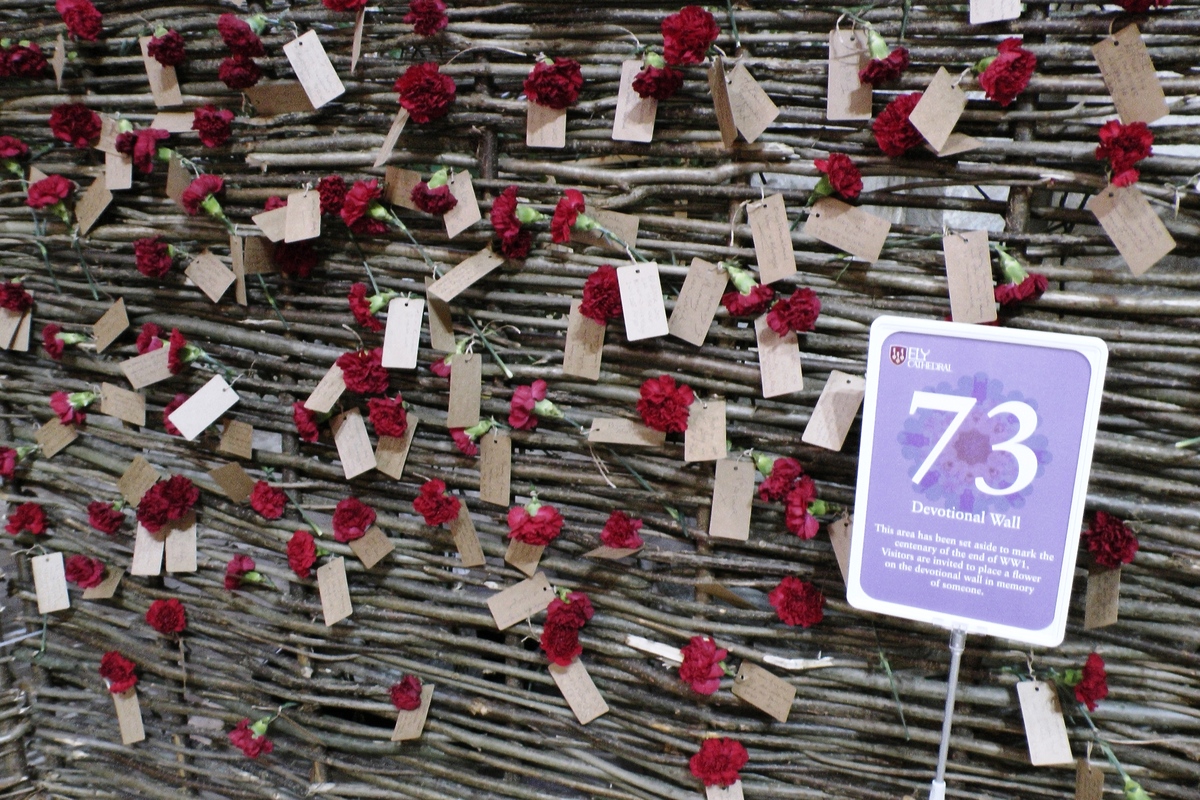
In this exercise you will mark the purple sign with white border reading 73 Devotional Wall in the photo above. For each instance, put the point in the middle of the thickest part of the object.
(977, 444)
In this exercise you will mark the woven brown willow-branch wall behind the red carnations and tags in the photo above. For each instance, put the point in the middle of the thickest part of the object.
(499, 727)
